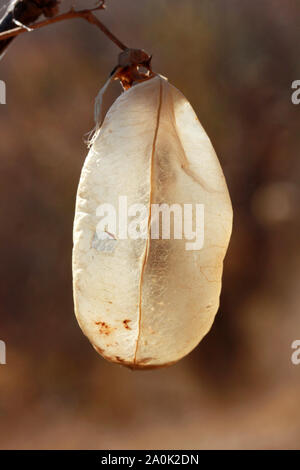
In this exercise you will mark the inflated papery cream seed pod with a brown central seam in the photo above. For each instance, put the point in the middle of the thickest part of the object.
(144, 300)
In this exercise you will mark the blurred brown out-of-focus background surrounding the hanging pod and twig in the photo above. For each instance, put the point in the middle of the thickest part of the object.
(235, 61)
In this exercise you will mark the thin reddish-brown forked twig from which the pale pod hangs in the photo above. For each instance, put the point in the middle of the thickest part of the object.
(85, 14)
